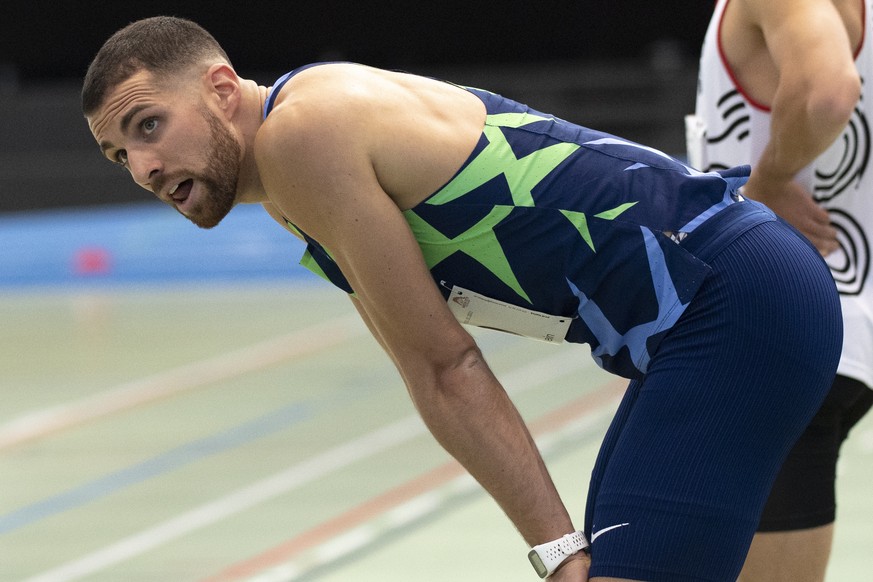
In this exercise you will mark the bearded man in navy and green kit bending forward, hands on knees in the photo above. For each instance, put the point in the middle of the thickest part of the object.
(431, 203)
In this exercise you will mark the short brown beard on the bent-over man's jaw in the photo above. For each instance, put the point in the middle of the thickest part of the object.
(220, 177)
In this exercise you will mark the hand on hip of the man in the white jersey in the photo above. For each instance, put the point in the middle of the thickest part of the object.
(792, 202)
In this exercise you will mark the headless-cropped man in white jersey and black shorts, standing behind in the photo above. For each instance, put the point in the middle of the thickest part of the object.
(779, 88)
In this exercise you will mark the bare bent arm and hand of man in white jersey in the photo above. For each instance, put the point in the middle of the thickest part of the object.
(795, 55)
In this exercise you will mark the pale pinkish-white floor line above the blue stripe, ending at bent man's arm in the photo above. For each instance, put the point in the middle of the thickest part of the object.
(301, 343)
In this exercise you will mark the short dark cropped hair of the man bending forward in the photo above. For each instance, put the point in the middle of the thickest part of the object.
(160, 45)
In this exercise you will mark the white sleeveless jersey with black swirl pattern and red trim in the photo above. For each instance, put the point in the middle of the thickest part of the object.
(729, 128)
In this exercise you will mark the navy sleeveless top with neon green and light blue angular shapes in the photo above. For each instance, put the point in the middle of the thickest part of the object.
(565, 220)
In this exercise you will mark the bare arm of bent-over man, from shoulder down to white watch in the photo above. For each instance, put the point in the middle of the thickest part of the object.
(318, 162)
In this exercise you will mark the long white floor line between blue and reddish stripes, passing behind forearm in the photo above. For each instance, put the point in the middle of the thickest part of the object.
(522, 379)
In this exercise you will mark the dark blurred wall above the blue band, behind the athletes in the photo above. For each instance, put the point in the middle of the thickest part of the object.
(624, 66)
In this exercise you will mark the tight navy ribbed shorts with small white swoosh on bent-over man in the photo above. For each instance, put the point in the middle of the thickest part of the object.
(685, 468)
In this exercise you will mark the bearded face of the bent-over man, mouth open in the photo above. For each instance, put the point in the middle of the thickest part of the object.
(172, 145)
